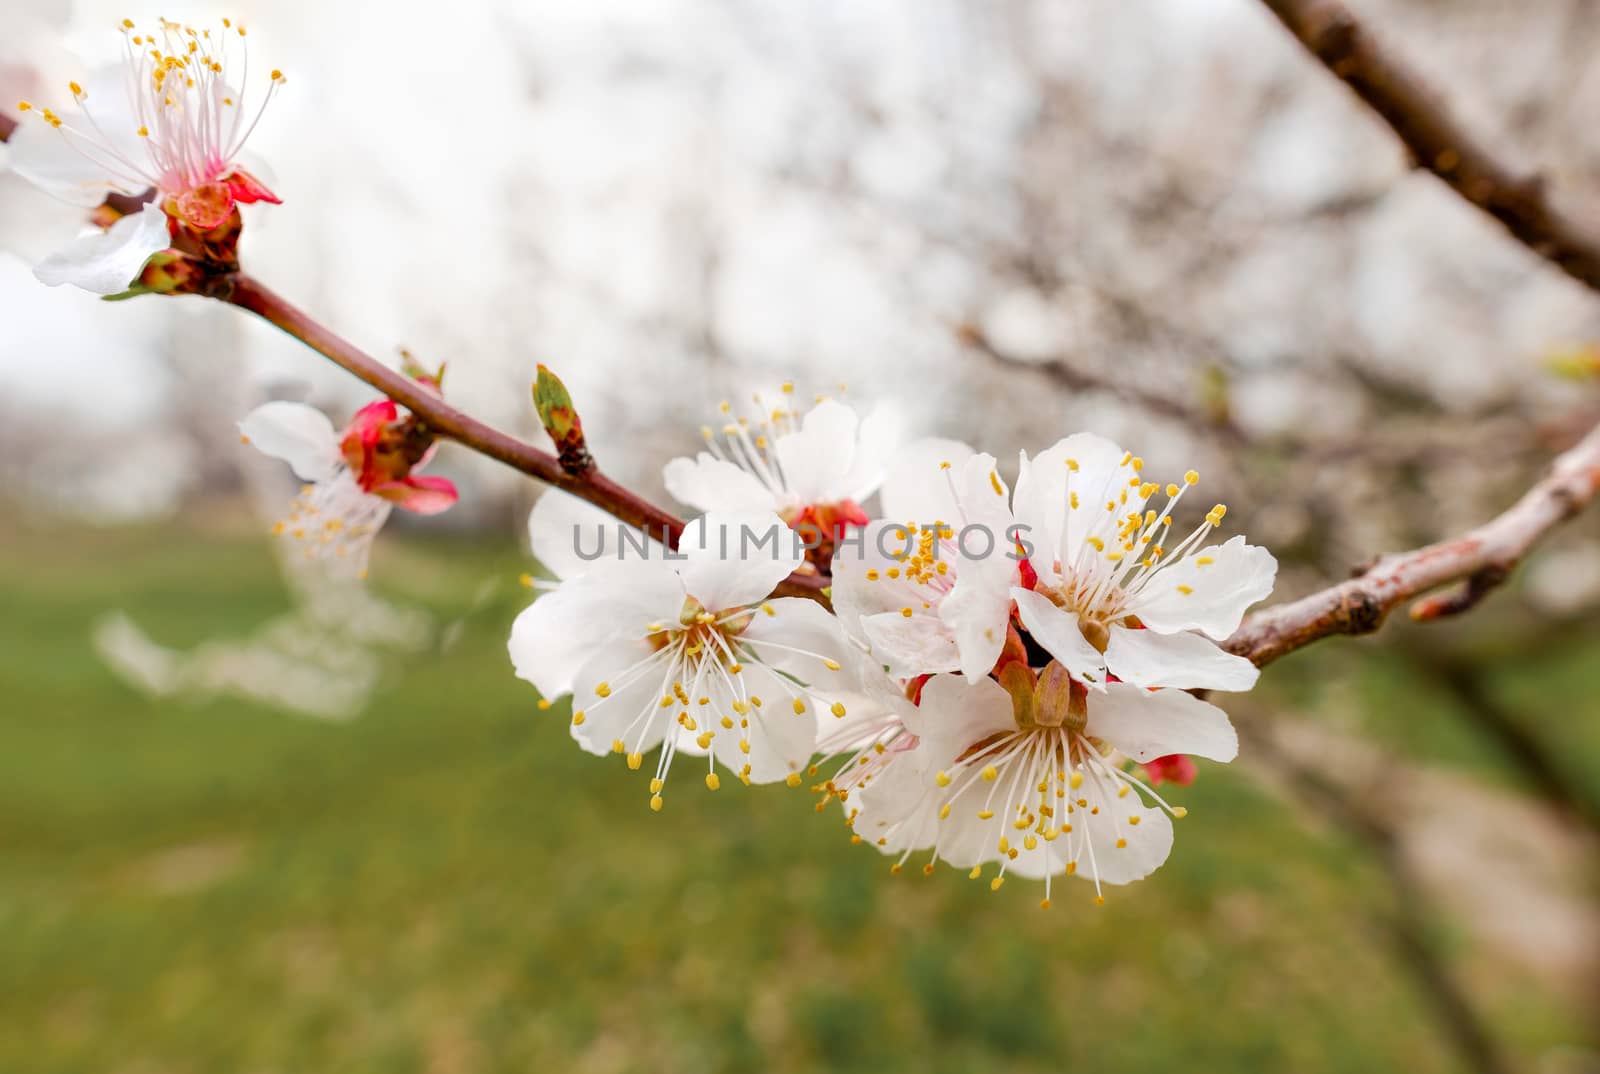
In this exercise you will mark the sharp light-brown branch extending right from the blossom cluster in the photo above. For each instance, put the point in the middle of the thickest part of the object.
(1481, 558)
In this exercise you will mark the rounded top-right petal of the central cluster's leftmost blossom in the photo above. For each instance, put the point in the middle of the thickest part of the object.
(734, 559)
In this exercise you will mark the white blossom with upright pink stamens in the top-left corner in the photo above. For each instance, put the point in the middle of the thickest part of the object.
(172, 118)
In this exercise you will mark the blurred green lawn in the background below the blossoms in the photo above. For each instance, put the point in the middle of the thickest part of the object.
(449, 884)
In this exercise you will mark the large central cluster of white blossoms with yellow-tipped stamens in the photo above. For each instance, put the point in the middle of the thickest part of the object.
(996, 667)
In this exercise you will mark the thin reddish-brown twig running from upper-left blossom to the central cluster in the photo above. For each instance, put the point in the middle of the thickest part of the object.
(447, 422)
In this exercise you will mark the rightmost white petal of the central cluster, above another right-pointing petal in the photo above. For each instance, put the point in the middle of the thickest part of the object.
(1207, 591)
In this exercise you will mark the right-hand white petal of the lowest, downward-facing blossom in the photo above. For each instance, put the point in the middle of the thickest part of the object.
(1150, 724)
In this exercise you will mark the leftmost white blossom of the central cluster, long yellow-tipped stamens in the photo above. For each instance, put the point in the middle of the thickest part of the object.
(684, 652)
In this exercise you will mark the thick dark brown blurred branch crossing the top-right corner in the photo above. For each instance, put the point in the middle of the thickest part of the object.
(1438, 142)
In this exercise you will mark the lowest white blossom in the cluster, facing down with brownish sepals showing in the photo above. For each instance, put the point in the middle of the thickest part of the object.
(1031, 775)
